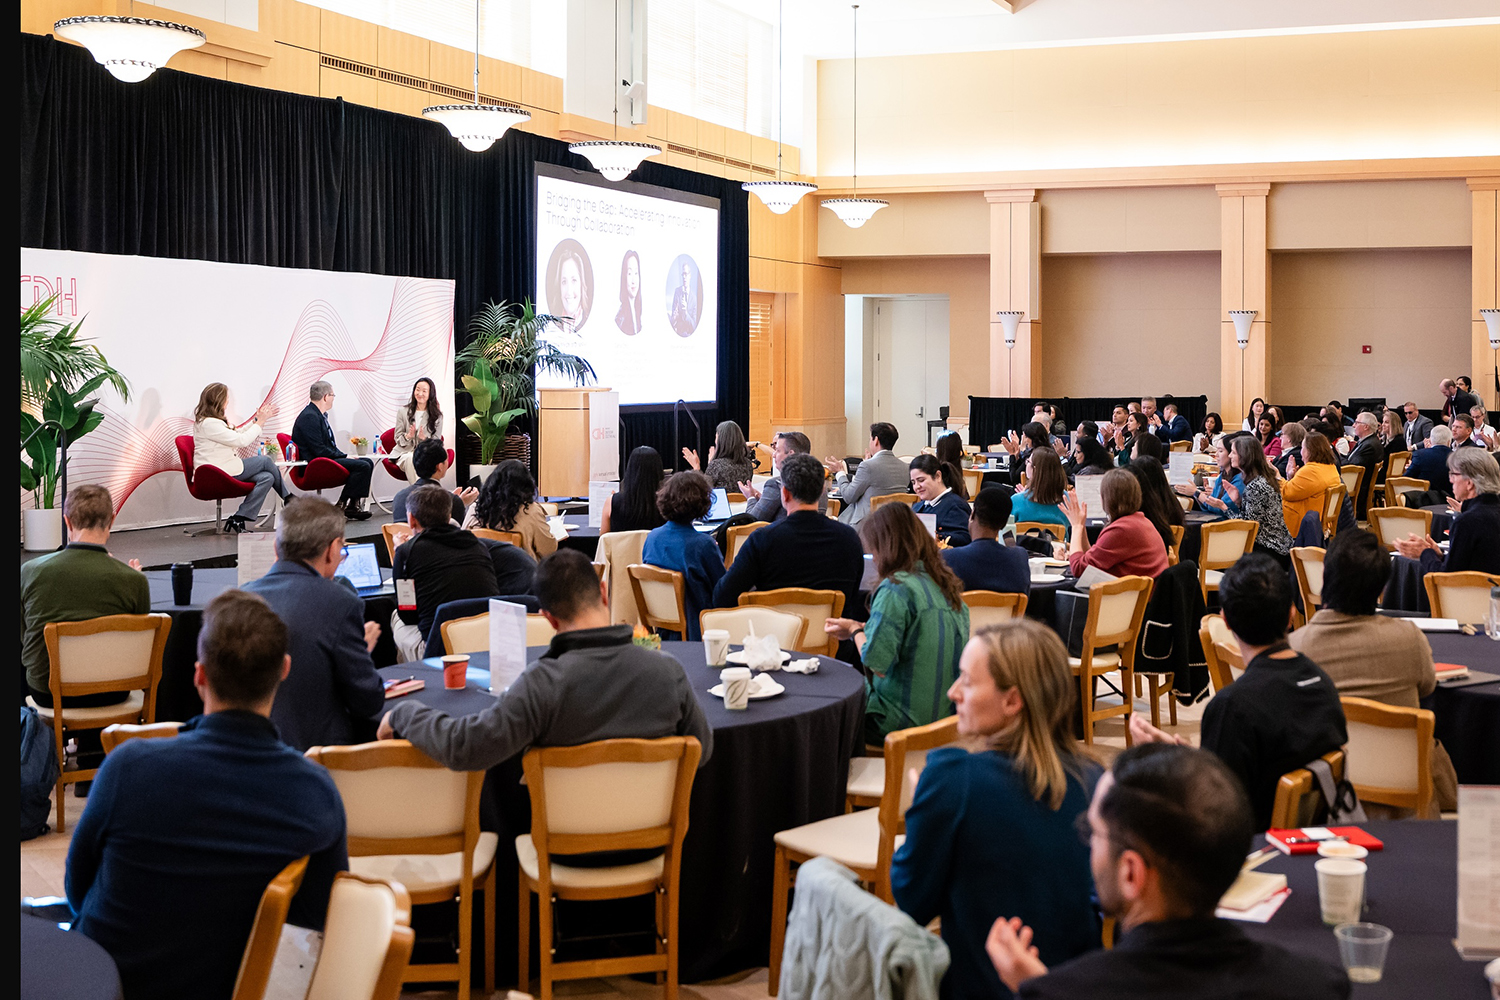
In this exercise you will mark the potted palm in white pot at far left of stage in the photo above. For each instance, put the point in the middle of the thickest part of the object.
(59, 376)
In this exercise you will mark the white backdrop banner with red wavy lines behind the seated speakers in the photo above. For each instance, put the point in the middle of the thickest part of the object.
(175, 326)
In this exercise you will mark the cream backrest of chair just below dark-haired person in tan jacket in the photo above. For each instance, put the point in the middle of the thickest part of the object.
(1388, 753)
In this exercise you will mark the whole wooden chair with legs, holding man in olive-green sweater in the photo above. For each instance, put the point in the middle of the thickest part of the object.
(98, 656)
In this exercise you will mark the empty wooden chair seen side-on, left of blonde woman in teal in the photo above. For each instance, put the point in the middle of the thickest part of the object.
(865, 840)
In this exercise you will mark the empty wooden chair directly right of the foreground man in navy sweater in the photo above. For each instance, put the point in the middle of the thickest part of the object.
(416, 824)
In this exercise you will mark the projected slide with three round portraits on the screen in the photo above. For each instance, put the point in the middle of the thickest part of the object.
(634, 274)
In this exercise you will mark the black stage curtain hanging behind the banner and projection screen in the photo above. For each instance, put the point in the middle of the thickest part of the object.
(188, 167)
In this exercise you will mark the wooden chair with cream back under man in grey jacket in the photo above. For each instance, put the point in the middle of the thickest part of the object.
(608, 795)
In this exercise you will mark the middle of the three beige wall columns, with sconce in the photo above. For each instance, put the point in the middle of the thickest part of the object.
(1244, 284)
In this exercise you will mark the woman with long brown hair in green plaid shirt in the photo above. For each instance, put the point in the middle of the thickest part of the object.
(917, 629)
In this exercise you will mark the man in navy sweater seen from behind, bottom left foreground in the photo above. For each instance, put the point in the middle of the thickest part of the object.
(182, 836)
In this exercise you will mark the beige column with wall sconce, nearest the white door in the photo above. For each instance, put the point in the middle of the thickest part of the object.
(1015, 284)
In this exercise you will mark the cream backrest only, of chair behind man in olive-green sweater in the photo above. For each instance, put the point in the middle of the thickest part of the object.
(116, 653)
